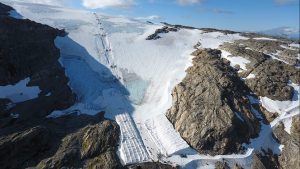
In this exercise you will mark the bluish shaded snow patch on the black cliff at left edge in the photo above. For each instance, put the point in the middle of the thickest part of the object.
(19, 92)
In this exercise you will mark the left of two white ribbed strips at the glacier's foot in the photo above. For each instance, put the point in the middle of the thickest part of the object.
(132, 148)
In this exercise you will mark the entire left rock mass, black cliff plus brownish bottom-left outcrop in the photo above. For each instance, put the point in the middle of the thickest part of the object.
(31, 140)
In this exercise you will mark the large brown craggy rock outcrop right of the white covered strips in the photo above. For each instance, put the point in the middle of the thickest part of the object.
(204, 106)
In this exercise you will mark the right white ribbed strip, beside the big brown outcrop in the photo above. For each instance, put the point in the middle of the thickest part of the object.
(164, 136)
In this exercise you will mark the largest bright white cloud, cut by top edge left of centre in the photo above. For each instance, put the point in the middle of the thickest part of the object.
(104, 4)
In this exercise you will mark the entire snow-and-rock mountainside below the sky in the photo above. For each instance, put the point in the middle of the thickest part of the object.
(80, 89)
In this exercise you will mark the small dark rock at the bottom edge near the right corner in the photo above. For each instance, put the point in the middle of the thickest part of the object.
(269, 160)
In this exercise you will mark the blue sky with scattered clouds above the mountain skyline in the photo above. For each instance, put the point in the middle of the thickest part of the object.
(236, 15)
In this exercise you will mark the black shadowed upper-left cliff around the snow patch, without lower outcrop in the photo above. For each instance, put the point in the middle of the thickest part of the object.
(28, 50)
